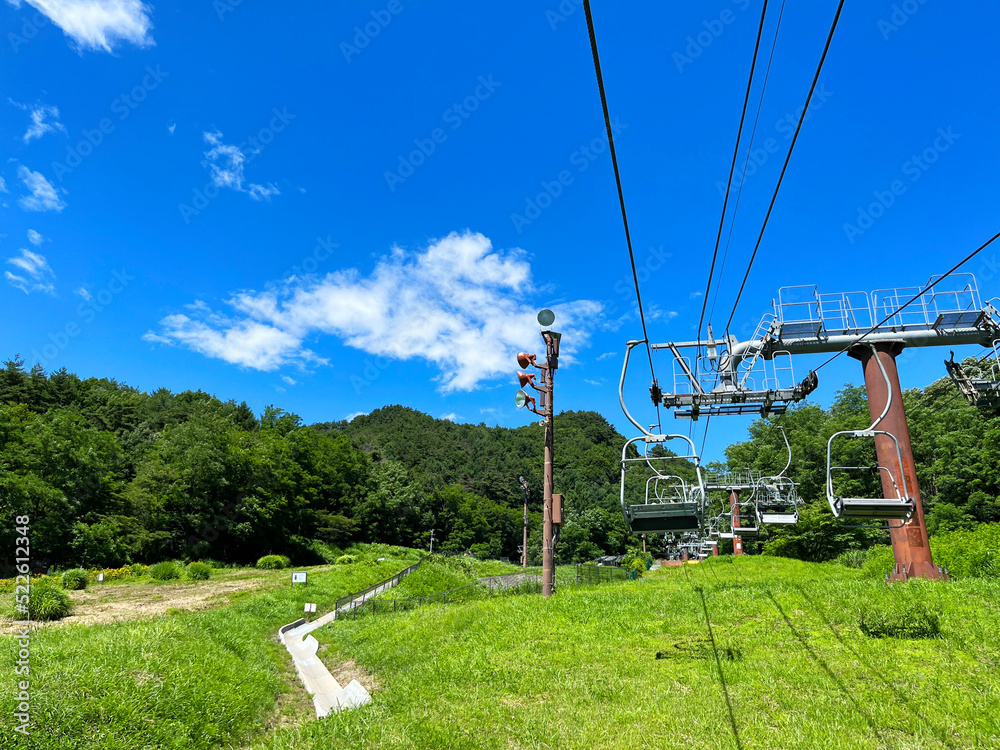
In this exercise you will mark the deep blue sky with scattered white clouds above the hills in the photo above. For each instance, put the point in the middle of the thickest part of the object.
(332, 207)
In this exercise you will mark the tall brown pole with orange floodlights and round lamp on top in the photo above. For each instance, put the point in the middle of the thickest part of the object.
(551, 339)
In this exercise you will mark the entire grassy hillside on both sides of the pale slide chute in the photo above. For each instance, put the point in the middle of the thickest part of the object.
(747, 653)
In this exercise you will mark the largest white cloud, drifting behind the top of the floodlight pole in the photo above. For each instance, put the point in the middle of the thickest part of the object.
(459, 305)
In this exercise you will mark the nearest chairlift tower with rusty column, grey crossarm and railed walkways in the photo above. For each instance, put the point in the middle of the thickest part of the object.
(755, 376)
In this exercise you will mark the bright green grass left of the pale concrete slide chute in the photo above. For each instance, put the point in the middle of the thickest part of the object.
(197, 680)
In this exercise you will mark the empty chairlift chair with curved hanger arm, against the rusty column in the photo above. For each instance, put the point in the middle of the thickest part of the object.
(899, 508)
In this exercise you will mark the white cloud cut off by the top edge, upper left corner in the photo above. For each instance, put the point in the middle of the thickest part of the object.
(98, 24)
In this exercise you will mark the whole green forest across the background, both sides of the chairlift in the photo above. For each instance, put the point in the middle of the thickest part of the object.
(111, 475)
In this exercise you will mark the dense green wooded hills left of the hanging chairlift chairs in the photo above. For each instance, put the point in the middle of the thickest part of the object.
(110, 475)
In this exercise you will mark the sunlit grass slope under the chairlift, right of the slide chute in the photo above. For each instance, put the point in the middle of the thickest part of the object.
(635, 665)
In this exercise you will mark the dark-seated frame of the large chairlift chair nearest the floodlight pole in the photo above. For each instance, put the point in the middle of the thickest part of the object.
(670, 504)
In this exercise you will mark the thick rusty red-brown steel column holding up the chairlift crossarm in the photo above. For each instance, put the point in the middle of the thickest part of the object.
(910, 547)
